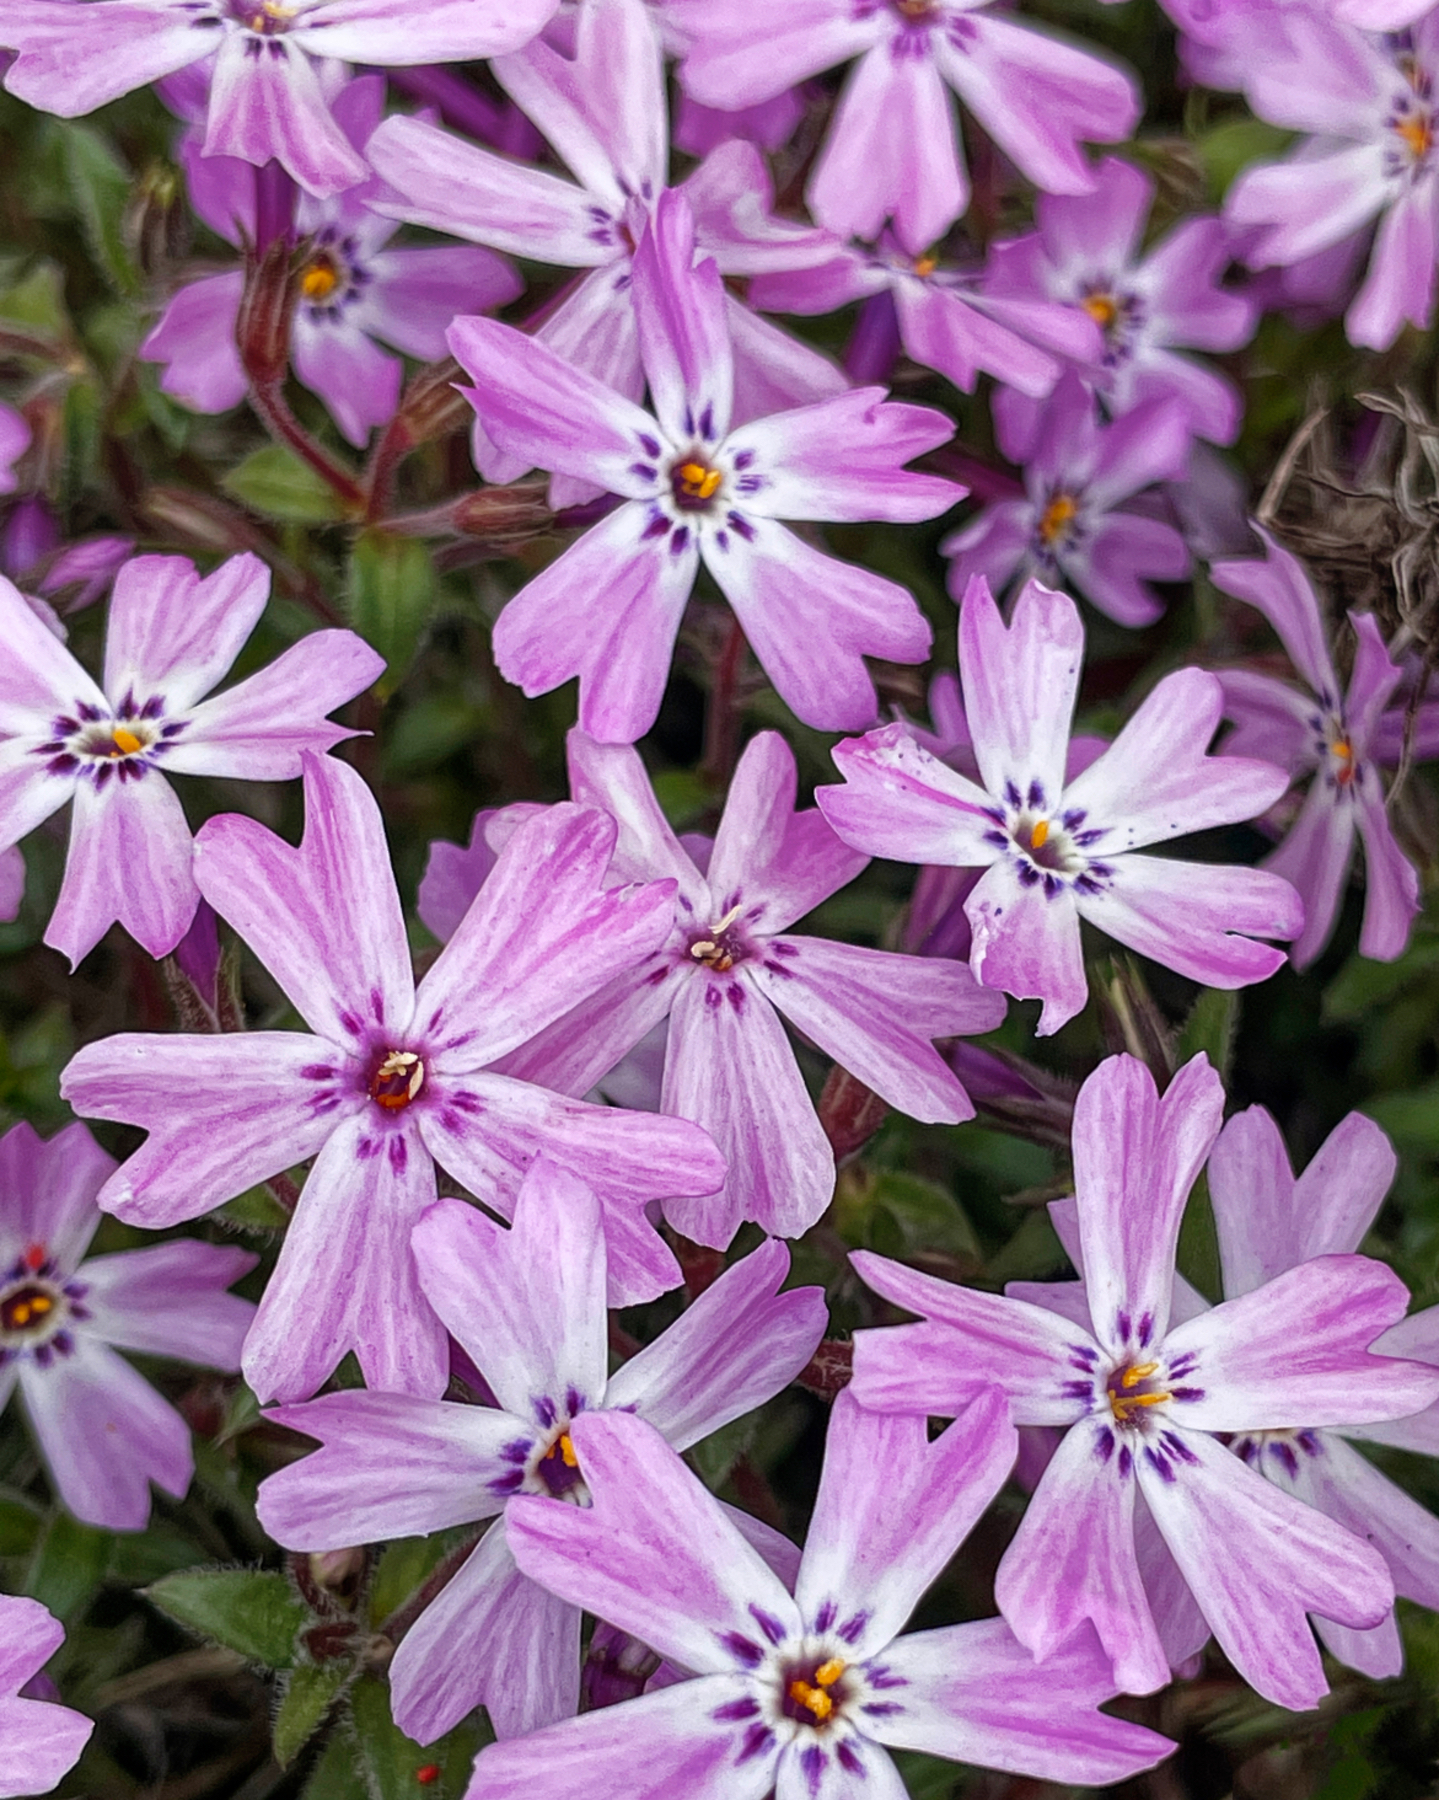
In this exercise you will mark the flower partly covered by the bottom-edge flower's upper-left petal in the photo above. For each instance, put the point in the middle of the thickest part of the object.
(529, 1308)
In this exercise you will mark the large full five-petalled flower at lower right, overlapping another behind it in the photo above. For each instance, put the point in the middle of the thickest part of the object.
(1150, 1401)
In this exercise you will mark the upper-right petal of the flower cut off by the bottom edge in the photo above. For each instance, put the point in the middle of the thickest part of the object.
(892, 1511)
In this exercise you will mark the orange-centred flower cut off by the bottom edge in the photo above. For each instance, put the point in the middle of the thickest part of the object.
(801, 1696)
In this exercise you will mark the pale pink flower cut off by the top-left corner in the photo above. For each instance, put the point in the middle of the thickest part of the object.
(276, 64)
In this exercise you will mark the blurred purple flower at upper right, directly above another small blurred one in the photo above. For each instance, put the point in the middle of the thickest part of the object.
(1087, 255)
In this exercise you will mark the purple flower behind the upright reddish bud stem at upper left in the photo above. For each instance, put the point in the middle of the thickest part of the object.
(354, 291)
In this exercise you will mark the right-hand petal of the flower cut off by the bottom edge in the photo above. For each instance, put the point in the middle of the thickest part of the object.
(975, 1695)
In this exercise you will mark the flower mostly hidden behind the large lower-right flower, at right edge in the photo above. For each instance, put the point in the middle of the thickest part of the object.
(1271, 1223)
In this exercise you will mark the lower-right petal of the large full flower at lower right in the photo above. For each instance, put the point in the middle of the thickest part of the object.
(1256, 1561)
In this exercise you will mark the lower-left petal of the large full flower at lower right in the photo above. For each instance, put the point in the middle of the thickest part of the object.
(1074, 1560)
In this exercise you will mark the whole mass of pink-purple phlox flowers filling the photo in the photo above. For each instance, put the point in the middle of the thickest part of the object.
(1191, 1464)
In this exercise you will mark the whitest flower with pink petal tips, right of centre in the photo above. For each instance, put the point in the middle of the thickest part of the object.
(1056, 850)
